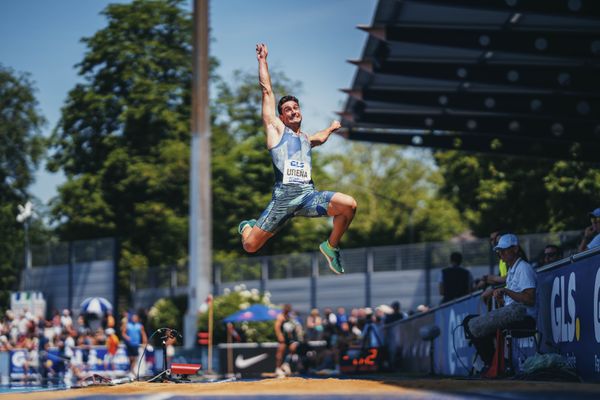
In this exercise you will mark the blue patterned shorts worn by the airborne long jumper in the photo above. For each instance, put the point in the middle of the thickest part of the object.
(290, 201)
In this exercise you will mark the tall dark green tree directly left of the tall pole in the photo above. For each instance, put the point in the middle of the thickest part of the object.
(122, 140)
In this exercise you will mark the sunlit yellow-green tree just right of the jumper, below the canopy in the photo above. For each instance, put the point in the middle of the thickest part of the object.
(397, 194)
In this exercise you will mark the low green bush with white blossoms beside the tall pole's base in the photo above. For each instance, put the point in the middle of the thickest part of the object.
(230, 302)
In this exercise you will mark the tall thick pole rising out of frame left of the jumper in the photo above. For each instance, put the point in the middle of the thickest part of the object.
(200, 222)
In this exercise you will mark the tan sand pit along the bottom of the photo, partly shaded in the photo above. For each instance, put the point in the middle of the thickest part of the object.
(393, 386)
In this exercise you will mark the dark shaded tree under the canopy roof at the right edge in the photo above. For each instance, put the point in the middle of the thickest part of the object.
(519, 194)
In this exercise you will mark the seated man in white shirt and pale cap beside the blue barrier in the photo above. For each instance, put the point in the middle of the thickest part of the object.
(517, 298)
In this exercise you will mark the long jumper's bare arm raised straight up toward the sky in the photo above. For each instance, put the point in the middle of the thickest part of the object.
(273, 125)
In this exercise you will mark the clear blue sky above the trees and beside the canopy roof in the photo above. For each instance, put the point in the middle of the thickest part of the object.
(309, 40)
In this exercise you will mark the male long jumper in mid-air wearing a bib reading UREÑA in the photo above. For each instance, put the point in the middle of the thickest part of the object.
(294, 193)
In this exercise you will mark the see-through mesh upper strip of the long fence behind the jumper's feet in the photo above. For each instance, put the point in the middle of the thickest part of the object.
(405, 257)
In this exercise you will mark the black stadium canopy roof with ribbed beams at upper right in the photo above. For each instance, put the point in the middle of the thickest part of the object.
(518, 77)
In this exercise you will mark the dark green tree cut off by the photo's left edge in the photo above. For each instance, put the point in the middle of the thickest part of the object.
(21, 146)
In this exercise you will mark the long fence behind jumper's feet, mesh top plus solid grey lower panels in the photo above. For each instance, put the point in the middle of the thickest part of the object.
(366, 265)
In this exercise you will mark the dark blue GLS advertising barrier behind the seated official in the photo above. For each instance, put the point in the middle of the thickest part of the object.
(568, 297)
